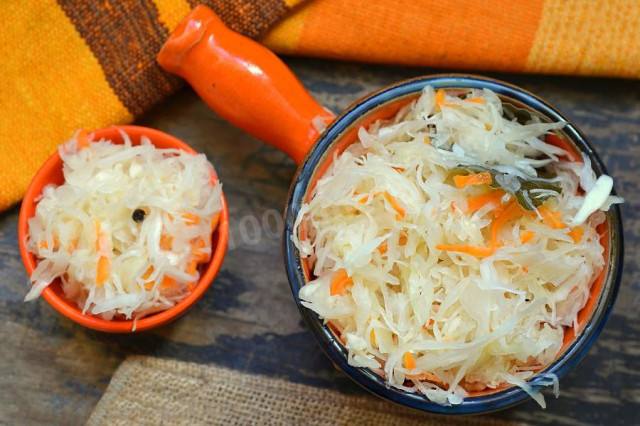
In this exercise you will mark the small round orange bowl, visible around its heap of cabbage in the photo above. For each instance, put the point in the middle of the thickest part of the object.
(51, 173)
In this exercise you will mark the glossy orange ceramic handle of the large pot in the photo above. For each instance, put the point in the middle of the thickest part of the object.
(244, 82)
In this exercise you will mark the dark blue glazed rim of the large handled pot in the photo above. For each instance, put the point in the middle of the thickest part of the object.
(333, 348)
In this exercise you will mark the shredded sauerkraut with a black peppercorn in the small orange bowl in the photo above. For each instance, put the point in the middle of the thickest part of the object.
(127, 230)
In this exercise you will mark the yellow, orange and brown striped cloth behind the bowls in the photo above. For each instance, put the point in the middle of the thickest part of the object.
(74, 63)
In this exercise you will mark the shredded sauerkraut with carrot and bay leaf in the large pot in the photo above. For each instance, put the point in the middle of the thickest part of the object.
(452, 246)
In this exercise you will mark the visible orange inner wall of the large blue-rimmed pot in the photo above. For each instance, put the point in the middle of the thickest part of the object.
(388, 111)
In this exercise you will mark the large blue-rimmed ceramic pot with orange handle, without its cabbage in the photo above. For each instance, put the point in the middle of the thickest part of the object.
(249, 86)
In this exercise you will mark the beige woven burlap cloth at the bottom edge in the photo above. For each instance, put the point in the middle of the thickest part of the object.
(153, 391)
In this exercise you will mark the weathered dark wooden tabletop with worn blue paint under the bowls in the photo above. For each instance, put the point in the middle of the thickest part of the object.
(54, 371)
